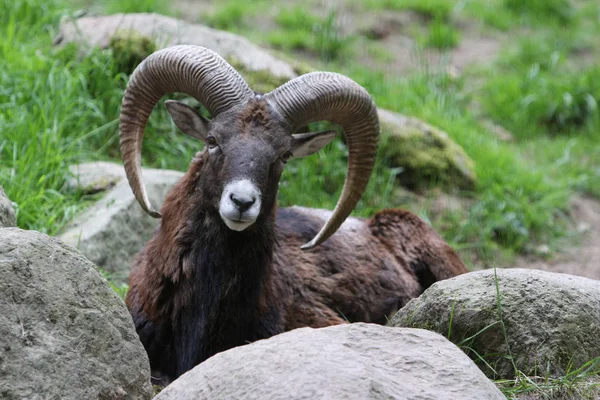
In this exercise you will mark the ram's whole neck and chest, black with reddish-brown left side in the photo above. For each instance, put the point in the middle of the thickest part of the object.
(204, 287)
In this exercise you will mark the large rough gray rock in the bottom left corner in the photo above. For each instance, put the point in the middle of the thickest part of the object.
(64, 334)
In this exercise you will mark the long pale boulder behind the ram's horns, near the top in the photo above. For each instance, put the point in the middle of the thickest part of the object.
(262, 70)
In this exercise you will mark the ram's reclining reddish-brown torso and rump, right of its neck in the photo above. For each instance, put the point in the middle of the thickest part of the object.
(364, 273)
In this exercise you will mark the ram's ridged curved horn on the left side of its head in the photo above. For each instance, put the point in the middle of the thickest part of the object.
(193, 70)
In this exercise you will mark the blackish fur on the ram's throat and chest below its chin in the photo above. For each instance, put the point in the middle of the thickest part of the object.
(227, 298)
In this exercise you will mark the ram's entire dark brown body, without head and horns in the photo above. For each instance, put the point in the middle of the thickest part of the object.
(199, 288)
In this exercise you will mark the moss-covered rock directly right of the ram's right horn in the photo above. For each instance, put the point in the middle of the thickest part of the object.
(426, 155)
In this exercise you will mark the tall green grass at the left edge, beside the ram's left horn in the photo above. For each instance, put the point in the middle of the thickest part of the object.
(55, 110)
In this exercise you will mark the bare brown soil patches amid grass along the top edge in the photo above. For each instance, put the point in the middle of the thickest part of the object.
(393, 32)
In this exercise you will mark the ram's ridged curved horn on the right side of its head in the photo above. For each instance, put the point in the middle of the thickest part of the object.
(319, 96)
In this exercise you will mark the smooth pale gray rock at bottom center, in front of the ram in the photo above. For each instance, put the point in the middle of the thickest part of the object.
(354, 361)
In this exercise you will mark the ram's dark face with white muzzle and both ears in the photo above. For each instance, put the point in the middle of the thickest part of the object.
(247, 149)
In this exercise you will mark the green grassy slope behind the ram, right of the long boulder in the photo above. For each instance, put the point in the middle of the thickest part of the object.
(524, 186)
